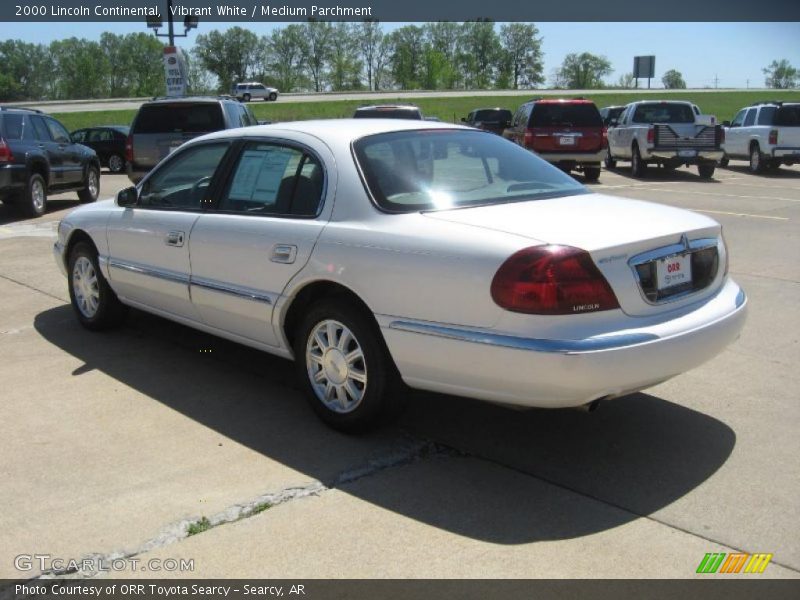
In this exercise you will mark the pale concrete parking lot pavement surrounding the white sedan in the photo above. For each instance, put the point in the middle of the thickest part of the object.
(115, 443)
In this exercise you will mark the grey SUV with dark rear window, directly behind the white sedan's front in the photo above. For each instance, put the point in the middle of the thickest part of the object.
(163, 124)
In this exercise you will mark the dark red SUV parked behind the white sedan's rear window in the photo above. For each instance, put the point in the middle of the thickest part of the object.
(567, 133)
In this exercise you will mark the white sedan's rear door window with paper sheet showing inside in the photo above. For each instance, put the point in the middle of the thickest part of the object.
(271, 179)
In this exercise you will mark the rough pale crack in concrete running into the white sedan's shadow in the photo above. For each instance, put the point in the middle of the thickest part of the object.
(408, 451)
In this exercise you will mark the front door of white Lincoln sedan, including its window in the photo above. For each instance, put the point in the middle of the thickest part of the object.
(148, 258)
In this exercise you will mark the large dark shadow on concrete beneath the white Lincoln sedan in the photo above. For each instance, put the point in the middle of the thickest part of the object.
(491, 473)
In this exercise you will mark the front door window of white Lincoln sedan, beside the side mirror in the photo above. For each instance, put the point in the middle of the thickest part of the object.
(183, 181)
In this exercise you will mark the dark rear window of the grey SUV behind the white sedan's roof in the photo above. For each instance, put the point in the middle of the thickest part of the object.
(179, 118)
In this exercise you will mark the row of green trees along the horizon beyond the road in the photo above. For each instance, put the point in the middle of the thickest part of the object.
(315, 56)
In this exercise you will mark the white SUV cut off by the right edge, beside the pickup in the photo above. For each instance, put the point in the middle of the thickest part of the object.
(767, 134)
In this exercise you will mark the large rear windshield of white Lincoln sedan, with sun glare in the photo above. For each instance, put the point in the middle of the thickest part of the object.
(408, 171)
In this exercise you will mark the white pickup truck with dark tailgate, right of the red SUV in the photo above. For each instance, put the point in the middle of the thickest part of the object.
(667, 133)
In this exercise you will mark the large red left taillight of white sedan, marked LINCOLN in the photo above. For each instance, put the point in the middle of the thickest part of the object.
(552, 280)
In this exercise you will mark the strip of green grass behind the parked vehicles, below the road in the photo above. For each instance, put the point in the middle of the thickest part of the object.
(722, 104)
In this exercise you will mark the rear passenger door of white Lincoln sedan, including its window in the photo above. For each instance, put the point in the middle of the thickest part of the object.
(260, 235)
